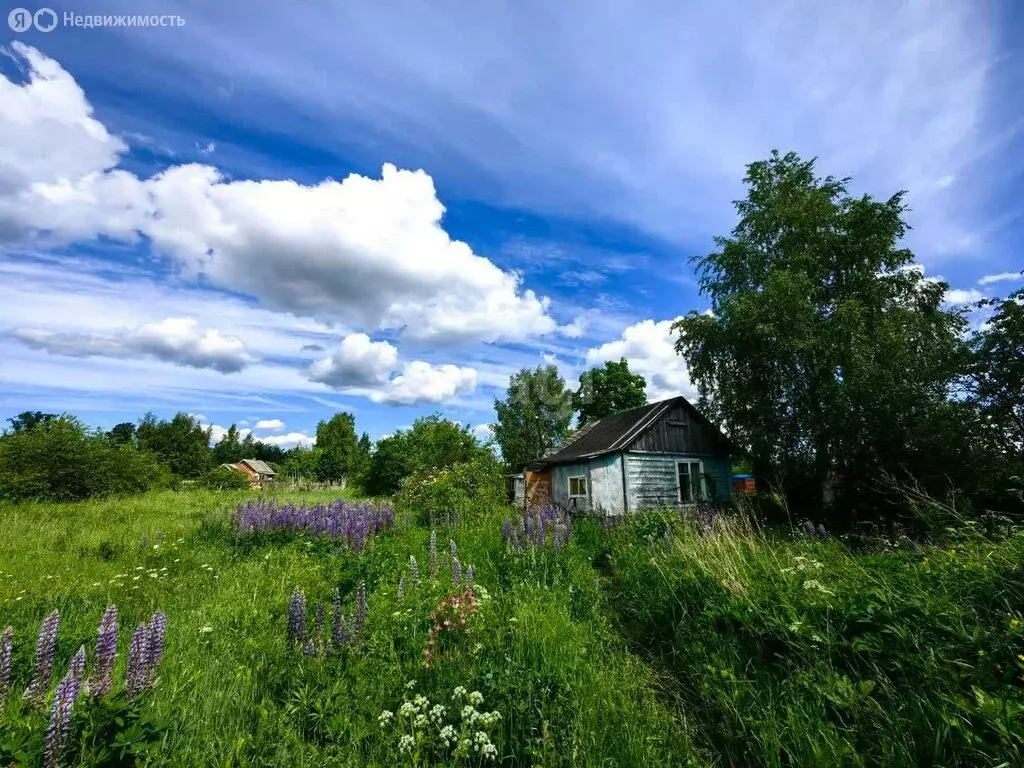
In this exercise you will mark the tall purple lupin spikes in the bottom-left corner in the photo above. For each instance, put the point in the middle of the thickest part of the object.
(145, 656)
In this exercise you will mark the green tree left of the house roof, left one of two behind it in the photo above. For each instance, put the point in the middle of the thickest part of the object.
(534, 417)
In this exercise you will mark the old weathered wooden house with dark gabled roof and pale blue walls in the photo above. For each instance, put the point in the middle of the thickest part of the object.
(662, 455)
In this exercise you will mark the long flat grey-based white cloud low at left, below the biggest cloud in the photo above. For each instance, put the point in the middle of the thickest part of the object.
(177, 340)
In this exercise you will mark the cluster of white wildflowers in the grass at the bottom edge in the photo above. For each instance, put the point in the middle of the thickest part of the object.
(459, 731)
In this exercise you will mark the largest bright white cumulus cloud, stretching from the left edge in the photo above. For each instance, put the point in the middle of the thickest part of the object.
(363, 251)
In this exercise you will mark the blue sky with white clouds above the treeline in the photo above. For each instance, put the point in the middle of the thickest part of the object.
(272, 214)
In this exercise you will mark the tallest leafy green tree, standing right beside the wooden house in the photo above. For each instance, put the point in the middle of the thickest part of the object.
(826, 350)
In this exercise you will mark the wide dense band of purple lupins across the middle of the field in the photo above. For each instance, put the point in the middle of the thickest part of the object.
(356, 523)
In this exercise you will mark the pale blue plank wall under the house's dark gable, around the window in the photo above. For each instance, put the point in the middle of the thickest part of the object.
(653, 482)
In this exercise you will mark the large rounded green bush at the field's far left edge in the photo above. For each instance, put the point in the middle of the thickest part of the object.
(61, 461)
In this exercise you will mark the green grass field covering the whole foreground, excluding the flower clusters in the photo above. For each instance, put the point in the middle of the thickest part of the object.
(630, 648)
